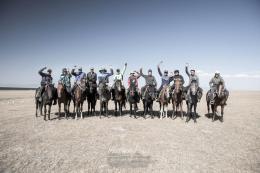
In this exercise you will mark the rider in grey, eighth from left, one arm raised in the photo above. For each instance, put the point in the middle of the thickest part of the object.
(149, 81)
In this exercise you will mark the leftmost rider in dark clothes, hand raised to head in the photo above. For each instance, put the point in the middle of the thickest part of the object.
(46, 80)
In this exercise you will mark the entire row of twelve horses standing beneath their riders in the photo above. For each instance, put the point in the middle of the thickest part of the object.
(88, 91)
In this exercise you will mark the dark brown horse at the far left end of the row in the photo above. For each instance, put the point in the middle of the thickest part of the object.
(47, 99)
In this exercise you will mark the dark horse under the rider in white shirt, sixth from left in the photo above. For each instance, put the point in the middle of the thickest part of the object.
(119, 96)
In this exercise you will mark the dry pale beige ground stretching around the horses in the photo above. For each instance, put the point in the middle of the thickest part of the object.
(124, 144)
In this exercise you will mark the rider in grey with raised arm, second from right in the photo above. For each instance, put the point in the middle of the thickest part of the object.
(193, 78)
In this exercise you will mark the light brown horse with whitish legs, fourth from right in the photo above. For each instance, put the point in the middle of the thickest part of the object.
(164, 97)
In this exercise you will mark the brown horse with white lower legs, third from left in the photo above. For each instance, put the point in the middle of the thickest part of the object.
(79, 97)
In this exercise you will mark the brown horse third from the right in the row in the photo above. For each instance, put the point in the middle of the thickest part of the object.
(177, 98)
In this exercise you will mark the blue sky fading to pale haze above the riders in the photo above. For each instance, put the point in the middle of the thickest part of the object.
(210, 35)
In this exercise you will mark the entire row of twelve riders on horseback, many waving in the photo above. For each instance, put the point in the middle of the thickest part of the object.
(103, 78)
